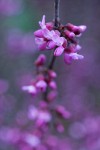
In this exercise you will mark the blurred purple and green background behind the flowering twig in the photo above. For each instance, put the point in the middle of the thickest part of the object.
(78, 83)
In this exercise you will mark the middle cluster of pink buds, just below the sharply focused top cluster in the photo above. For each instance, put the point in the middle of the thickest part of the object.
(44, 78)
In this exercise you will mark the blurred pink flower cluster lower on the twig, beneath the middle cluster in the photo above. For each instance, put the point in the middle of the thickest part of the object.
(43, 116)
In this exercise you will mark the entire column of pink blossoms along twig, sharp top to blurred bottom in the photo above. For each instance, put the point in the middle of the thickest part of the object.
(46, 114)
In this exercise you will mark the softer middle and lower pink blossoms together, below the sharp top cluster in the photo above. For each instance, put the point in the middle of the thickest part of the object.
(42, 115)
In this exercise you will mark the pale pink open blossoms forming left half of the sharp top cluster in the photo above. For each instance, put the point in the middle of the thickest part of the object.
(48, 39)
